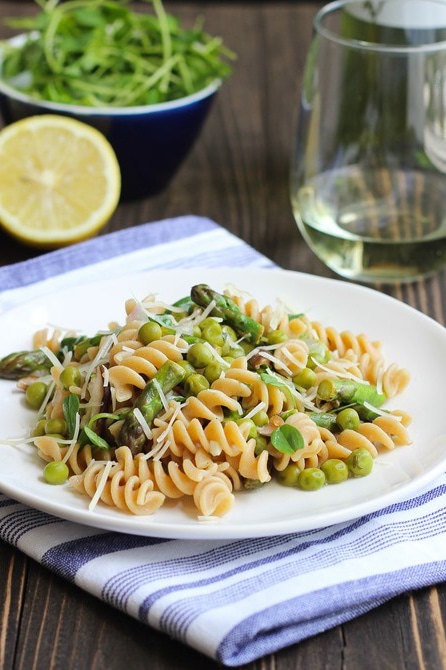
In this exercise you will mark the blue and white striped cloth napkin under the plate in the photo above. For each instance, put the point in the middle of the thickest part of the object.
(234, 601)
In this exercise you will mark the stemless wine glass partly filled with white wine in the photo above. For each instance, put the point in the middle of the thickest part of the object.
(368, 173)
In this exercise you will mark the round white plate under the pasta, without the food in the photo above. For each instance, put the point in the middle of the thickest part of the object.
(409, 338)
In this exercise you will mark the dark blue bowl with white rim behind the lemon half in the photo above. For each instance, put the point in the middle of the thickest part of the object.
(150, 142)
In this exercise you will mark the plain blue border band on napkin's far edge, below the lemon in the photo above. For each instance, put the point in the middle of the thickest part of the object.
(101, 248)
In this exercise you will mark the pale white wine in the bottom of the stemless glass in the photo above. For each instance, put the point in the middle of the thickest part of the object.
(375, 225)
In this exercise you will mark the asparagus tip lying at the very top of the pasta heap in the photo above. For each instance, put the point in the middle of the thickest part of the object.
(226, 309)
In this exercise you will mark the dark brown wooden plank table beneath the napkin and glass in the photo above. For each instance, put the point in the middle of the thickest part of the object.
(237, 175)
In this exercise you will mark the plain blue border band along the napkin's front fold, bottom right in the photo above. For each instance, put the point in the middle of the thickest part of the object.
(299, 618)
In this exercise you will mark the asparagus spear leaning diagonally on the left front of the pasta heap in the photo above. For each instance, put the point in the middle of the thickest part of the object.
(150, 404)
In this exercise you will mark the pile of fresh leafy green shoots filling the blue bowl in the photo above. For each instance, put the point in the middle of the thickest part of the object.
(102, 53)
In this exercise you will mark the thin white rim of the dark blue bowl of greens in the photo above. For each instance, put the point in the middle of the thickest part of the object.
(84, 110)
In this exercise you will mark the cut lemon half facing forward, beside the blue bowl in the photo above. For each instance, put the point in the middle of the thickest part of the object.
(59, 180)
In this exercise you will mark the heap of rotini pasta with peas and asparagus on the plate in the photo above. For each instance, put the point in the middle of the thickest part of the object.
(213, 395)
